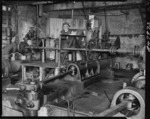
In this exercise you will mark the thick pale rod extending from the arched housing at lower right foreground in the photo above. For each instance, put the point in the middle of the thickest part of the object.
(113, 110)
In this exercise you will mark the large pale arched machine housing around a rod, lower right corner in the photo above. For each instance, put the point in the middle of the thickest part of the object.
(136, 107)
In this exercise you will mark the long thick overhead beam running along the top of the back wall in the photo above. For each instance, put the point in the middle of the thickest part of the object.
(88, 5)
